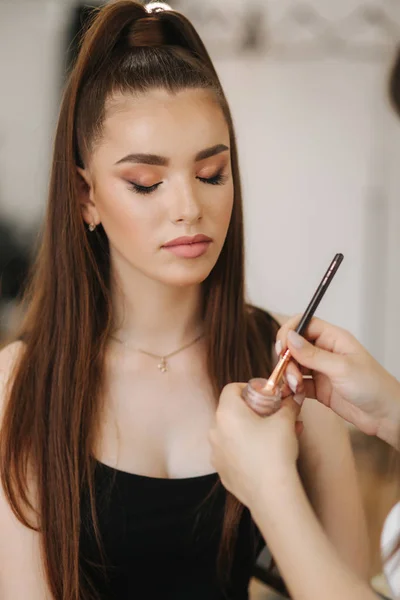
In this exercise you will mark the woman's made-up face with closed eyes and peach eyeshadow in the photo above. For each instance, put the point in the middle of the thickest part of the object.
(162, 171)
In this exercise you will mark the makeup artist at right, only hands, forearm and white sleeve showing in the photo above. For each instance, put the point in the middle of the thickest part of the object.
(350, 382)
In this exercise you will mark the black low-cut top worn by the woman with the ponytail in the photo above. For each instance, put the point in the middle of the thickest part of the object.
(161, 536)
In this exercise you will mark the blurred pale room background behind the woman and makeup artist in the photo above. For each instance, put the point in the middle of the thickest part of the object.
(319, 144)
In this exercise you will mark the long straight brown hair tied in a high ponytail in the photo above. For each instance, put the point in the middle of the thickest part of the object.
(51, 416)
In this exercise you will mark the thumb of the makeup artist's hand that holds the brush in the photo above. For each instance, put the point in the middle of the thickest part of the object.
(312, 357)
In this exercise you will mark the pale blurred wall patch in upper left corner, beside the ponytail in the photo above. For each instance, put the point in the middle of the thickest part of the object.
(31, 37)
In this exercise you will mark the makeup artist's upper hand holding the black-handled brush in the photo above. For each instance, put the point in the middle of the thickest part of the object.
(346, 377)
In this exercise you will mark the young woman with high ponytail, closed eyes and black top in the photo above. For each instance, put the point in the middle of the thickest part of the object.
(135, 321)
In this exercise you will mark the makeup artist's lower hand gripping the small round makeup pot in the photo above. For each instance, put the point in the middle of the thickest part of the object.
(250, 451)
